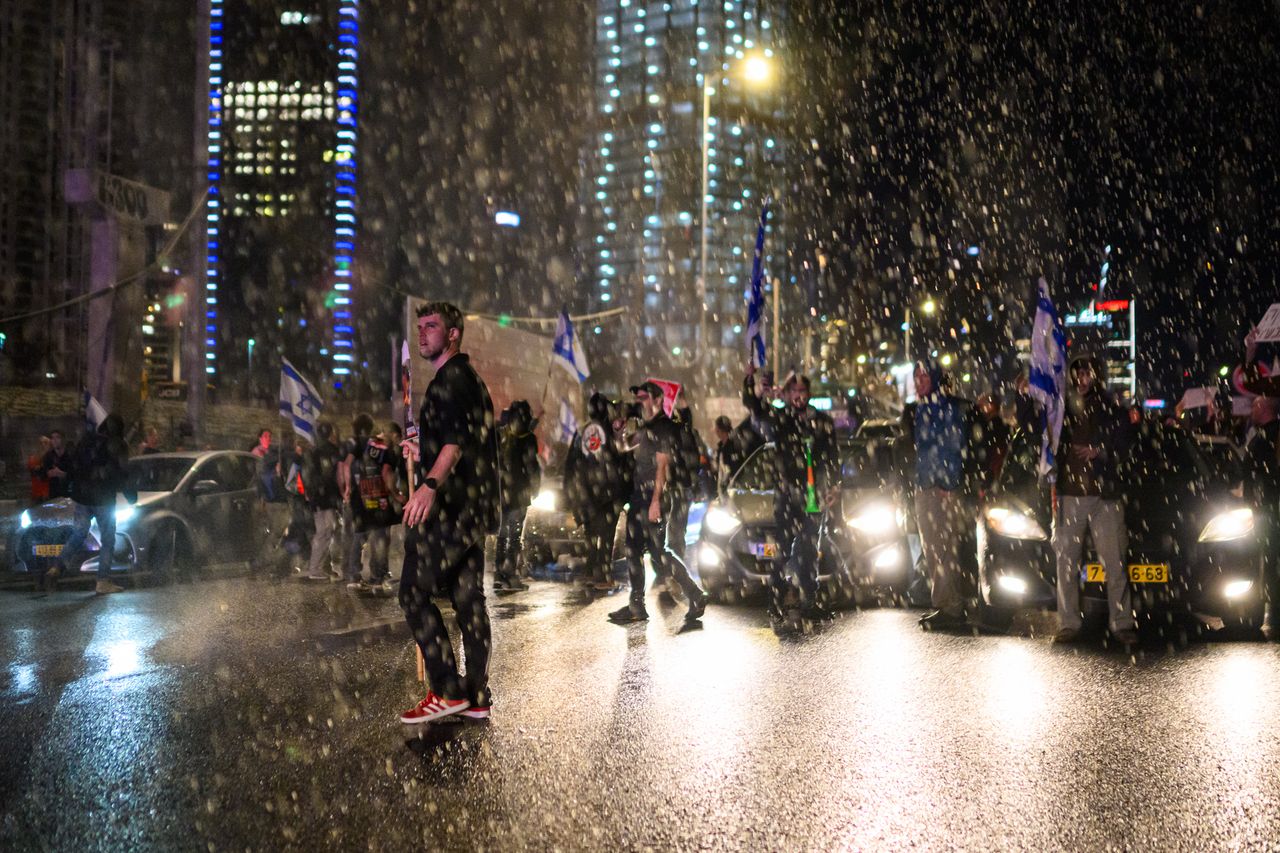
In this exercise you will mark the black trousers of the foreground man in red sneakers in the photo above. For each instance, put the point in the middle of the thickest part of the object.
(455, 569)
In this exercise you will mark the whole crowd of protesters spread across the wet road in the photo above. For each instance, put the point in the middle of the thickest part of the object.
(332, 503)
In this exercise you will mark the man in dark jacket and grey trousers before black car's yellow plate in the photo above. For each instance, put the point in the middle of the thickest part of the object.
(1098, 437)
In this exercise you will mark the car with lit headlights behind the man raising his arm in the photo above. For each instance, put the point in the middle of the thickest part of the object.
(862, 546)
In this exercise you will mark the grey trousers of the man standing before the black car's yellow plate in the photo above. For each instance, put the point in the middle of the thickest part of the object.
(1105, 521)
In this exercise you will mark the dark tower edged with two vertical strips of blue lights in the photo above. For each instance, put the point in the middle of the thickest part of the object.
(282, 207)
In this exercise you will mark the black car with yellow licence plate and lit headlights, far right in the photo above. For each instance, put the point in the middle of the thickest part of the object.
(1192, 546)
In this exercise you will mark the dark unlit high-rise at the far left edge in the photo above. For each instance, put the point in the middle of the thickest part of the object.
(102, 86)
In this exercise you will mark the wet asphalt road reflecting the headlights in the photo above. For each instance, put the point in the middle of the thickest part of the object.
(228, 714)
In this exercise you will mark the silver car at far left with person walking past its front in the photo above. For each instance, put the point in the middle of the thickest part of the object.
(193, 508)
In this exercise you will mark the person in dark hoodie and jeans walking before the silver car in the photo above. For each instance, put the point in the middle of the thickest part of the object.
(98, 476)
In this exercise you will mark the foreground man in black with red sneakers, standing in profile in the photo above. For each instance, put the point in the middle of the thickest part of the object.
(447, 521)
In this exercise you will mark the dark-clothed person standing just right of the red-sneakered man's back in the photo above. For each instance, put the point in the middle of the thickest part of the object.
(522, 478)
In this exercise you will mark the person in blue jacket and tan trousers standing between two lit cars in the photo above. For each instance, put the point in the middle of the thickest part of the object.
(936, 432)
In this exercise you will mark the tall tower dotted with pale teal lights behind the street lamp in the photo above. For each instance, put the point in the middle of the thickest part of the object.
(666, 74)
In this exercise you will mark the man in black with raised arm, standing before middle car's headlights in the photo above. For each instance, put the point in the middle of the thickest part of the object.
(807, 471)
